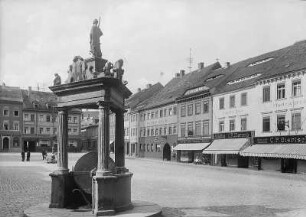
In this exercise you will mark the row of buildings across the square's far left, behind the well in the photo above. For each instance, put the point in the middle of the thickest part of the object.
(29, 121)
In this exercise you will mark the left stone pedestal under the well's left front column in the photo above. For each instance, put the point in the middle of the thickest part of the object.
(60, 189)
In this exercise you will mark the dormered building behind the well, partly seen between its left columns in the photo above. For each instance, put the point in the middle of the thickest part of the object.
(40, 122)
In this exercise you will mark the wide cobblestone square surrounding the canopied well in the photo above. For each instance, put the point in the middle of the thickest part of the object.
(181, 189)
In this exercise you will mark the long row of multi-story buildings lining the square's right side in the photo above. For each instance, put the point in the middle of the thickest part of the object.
(247, 114)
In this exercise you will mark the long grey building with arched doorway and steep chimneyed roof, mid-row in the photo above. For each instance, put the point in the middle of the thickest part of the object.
(159, 118)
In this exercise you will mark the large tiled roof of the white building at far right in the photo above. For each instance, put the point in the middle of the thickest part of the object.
(247, 72)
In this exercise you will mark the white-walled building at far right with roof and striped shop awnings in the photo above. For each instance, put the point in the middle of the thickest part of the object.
(259, 102)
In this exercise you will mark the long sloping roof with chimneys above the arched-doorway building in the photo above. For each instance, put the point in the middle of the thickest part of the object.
(178, 85)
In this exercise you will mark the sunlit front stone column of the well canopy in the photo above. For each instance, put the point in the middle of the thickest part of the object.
(103, 139)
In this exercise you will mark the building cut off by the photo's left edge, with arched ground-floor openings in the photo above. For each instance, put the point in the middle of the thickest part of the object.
(10, 118)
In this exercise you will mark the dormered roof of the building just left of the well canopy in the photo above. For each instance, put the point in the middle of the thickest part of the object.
(42, 99)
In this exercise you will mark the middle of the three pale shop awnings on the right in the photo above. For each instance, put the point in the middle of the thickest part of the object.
(226, 146)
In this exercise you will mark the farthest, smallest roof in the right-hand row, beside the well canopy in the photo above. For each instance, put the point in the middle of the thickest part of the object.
(143, 95)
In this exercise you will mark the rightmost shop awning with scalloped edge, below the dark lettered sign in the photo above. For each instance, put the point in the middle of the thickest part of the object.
(296, 151)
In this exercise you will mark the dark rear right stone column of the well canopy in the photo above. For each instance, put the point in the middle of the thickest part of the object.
(119, 142)
